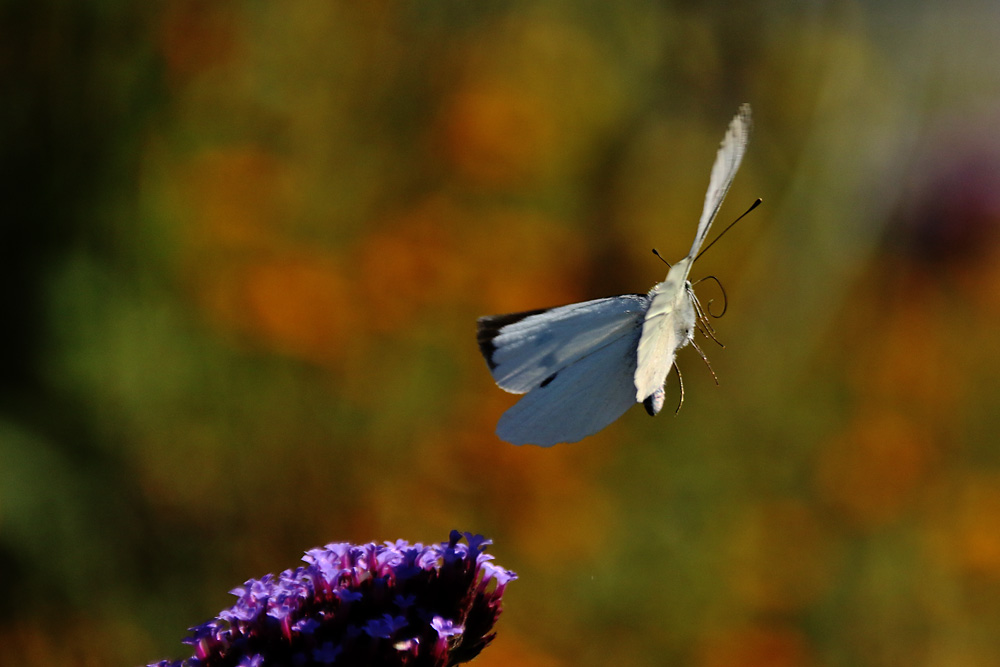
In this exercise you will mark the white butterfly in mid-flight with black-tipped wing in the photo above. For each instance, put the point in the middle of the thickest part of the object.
(583, 365)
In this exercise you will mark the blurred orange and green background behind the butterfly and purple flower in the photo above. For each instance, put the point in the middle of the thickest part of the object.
(244, 245)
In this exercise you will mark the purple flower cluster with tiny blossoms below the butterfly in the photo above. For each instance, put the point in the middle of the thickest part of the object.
(378, 605)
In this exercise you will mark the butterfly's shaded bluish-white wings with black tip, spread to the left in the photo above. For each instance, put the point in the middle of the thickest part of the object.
(576, 364)
